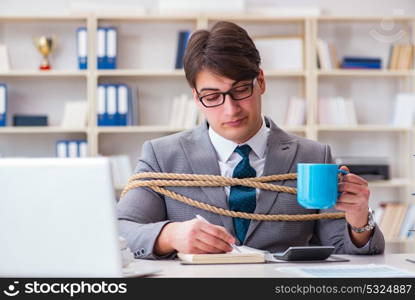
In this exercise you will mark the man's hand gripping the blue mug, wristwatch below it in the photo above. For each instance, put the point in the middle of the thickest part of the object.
(354, 201)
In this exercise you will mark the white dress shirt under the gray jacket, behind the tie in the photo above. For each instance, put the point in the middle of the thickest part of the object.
(228, 159)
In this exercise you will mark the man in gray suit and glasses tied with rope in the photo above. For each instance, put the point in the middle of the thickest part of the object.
(222, 68)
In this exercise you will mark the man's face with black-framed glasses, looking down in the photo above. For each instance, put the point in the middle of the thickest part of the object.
(239, 120)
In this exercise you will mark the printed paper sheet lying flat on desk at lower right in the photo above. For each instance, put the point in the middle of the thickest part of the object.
(369, 270)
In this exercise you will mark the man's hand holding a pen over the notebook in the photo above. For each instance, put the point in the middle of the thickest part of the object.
(194, 236)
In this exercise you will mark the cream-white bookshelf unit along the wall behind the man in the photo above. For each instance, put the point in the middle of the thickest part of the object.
(140, 38)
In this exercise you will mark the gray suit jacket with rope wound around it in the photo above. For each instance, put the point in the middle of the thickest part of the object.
(142, 213)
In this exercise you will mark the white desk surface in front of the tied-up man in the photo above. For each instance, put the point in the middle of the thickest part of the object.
(173, 268)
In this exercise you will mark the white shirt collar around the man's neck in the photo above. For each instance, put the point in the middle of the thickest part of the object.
(225, 147)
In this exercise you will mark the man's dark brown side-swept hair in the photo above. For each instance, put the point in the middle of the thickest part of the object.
(226, 50)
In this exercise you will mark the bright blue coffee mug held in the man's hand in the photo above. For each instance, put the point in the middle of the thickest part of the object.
(317, 185)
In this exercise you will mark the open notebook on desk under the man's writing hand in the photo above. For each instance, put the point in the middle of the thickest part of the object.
(246, 255)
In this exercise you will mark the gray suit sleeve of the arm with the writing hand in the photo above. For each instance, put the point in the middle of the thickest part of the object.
(142, 212)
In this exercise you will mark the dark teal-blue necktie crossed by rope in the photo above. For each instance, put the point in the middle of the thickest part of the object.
(242, 198)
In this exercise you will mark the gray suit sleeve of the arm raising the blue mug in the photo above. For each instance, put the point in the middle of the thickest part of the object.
(336, 232)
